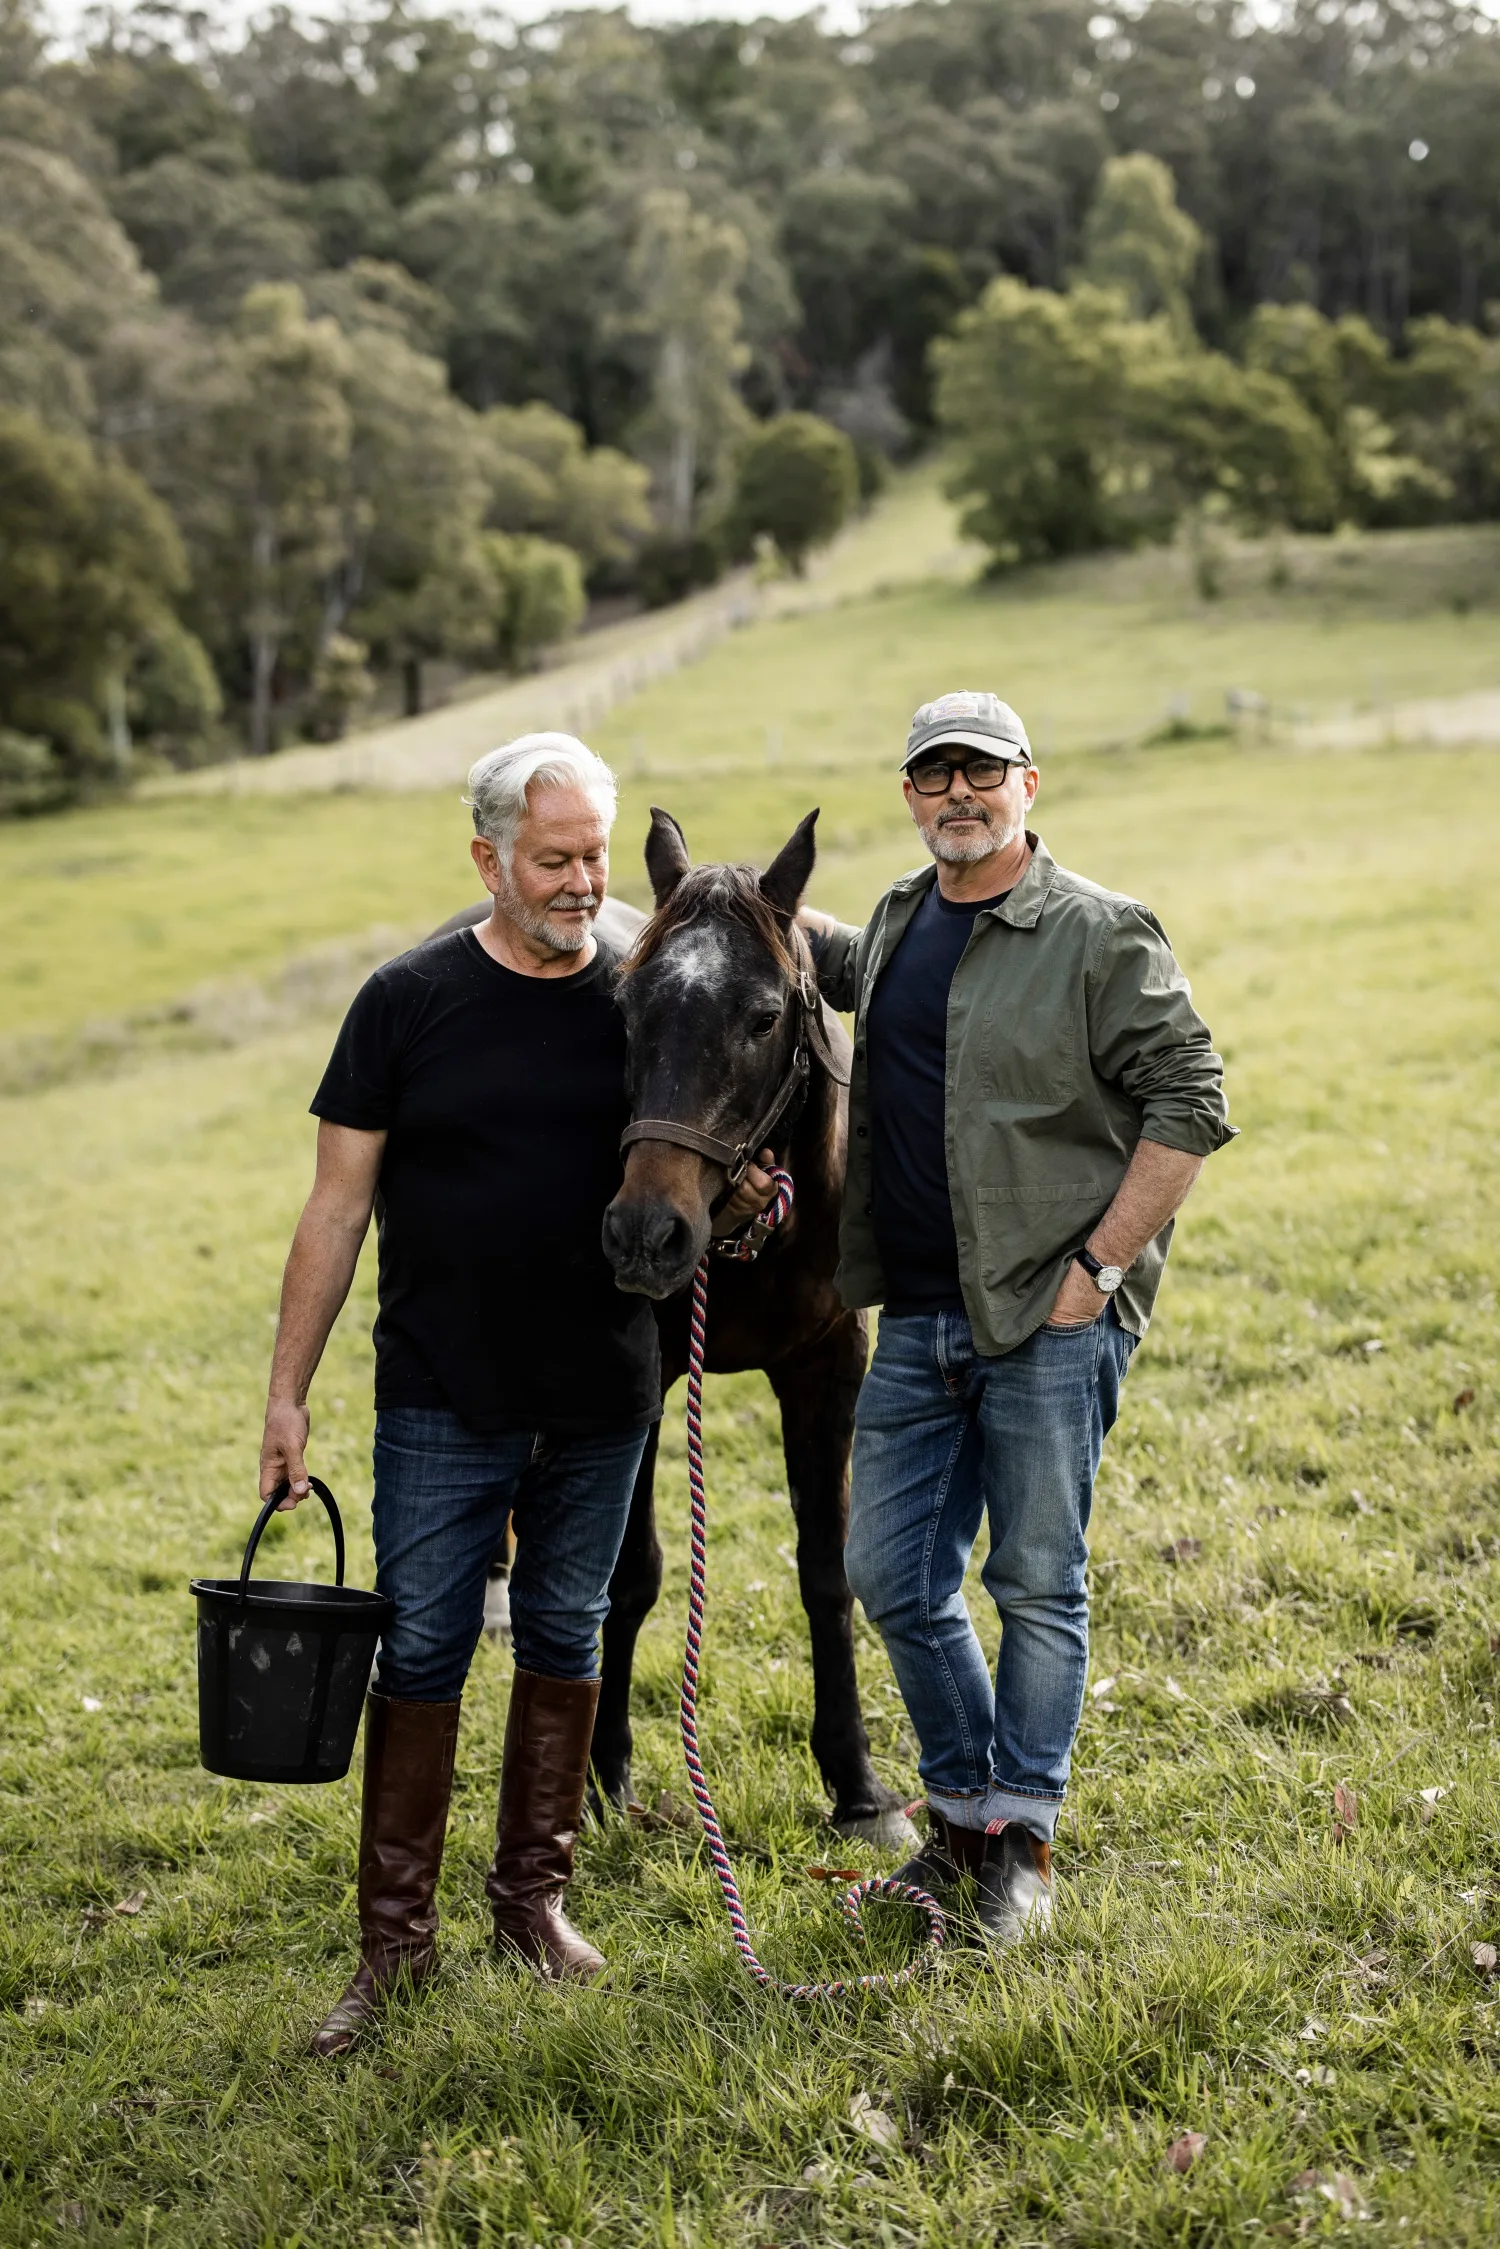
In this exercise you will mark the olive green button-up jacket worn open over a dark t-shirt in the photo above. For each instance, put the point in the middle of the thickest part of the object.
(1072, 1036)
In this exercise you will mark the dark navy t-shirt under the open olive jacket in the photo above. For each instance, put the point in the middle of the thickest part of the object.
(907, 1040)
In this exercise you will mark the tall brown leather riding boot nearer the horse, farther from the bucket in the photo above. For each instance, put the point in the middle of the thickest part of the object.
(541, 1805)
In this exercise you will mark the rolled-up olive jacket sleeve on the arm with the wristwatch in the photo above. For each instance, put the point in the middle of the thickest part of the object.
(1150, 1040)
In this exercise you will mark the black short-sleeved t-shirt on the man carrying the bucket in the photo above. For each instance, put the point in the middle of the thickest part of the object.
(503, 1101)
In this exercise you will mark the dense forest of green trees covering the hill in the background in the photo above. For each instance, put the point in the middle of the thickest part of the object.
(372, 338)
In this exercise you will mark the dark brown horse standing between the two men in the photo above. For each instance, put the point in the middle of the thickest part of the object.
(723, 1020)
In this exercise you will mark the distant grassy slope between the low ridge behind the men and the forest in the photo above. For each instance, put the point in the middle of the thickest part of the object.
(111, 912)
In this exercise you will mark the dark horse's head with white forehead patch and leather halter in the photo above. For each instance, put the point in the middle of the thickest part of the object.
(716, 1002)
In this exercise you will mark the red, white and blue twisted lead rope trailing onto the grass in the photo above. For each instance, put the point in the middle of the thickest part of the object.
(878, 1886)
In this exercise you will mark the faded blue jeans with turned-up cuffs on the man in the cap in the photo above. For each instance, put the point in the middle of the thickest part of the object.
(941, 1440)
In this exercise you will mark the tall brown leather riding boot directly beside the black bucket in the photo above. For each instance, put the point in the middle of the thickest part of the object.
(404, 1818)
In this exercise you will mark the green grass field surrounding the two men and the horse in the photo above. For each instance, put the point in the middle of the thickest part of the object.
(1296, 1562)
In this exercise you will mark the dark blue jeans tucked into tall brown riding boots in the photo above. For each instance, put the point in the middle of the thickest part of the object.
(440, 1517)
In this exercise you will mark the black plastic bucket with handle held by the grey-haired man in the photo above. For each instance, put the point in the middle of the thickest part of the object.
(282, 1668)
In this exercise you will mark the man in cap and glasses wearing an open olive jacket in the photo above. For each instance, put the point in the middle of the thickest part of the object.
(1031, 1103)
